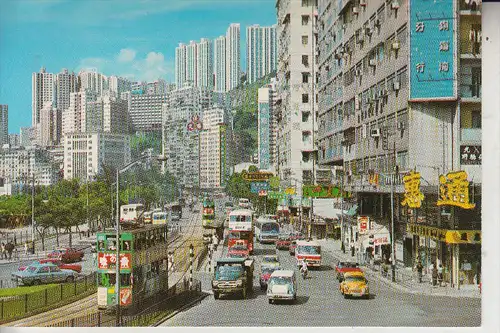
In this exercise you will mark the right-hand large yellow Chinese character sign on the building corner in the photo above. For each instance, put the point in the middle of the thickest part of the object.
(454, 190)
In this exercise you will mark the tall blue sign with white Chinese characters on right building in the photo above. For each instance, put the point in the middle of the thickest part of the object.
(432, 50)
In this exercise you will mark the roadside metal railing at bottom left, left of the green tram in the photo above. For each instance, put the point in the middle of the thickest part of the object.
(20, 306)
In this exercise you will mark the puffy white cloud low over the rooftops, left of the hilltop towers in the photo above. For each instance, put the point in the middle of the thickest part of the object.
(153, 66)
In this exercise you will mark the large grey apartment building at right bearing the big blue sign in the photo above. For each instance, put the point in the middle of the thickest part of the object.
(387, 108)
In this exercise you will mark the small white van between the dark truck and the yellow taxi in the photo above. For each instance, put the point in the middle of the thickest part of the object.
(282, 286)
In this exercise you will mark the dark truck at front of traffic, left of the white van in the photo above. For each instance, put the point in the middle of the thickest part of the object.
(233, 275)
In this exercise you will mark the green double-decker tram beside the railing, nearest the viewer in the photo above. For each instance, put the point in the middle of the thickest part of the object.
(142, 270)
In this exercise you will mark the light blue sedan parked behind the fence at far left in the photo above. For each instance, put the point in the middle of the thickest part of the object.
(37, 273)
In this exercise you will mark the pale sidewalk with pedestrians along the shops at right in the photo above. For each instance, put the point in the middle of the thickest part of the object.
(407, 280)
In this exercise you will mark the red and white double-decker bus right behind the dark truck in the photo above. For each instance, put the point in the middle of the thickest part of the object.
(241, 228)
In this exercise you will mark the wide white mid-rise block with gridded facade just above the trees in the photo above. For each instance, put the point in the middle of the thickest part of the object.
(86, 154)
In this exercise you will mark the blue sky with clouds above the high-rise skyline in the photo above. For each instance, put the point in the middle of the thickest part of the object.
(130, 38)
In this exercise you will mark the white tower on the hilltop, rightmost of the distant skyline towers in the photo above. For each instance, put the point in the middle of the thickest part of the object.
(261, 51)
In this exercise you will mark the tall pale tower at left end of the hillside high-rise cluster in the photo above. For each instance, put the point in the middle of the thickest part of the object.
(43, 90)
